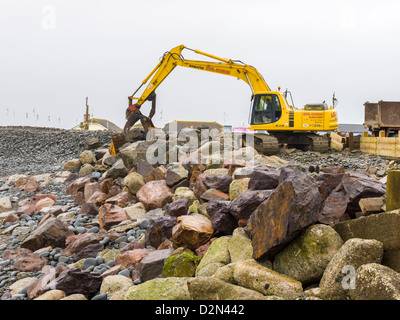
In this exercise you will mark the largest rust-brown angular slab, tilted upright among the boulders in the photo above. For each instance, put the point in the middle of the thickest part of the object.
(289, 210)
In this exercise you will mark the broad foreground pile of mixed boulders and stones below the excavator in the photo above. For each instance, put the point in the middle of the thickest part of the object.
(240, 228)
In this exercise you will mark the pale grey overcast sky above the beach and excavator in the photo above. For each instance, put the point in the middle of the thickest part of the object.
(55, 53)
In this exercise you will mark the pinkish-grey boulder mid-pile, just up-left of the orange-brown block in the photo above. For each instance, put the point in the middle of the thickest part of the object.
(155, 194)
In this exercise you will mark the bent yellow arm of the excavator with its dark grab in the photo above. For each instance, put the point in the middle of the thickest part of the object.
(174, 58)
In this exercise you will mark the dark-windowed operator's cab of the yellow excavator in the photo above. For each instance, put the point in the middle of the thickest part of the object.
(266, 109)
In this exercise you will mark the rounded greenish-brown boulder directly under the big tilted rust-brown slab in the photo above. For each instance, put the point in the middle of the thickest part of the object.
(307, 256)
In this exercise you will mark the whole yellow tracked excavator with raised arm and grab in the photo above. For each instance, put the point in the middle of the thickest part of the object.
(271, 111)
